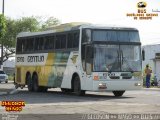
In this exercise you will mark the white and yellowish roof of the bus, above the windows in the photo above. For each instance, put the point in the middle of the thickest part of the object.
(73, 26)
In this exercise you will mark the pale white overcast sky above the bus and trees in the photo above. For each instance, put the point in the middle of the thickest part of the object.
(107, 12)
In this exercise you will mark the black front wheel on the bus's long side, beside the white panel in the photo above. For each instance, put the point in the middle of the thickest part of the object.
(77, 87)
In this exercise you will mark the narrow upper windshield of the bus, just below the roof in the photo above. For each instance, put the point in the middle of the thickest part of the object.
(111, 35)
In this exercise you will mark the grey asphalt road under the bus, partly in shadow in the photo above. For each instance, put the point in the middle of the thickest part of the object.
(54, 102)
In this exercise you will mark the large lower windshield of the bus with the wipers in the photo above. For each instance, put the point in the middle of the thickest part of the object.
(117, 58)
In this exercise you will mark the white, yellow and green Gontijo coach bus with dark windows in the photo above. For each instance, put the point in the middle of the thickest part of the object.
(79, 57)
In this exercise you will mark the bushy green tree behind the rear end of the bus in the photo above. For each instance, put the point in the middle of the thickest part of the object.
(13, 27)
